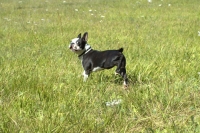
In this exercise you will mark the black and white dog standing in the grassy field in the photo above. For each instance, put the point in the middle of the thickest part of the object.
(93, 60)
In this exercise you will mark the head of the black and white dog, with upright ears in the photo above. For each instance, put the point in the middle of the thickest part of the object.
(78, 44)
